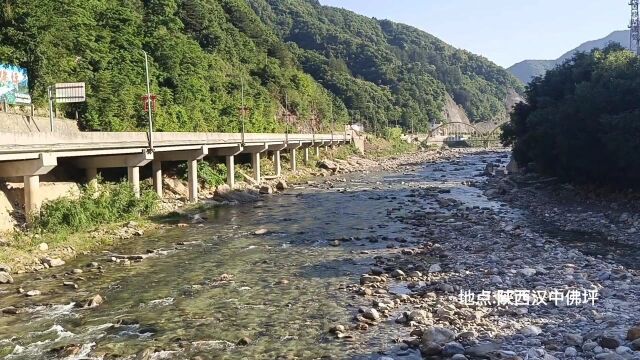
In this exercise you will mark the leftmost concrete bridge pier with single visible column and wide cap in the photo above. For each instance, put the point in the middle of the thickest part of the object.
(30, 171)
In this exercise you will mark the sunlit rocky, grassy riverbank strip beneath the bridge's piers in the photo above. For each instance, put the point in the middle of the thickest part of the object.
(29, 251)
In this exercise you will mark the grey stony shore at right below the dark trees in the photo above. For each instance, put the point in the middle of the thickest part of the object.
(487, 282)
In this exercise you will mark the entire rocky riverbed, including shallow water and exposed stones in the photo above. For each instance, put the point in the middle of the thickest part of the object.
(426, 257)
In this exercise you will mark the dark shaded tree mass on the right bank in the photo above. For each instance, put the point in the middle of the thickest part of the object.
(582, 118)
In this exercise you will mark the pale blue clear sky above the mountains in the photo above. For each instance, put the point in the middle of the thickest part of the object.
(505, 31)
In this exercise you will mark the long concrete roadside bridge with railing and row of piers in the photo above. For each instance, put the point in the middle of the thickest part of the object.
(30, 155)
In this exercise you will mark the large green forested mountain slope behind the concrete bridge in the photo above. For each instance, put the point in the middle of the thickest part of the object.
(319, 61)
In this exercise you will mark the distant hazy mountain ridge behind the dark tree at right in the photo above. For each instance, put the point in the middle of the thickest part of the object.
(528, 69)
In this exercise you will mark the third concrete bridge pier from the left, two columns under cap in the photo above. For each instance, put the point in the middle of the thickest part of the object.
(191, 157)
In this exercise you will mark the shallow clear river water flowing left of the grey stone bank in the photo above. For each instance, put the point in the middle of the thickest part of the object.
(282, 291)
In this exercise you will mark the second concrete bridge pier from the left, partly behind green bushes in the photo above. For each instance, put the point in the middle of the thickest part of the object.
(132, 162)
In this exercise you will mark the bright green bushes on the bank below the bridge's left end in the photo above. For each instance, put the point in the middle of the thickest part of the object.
(107, 203)
